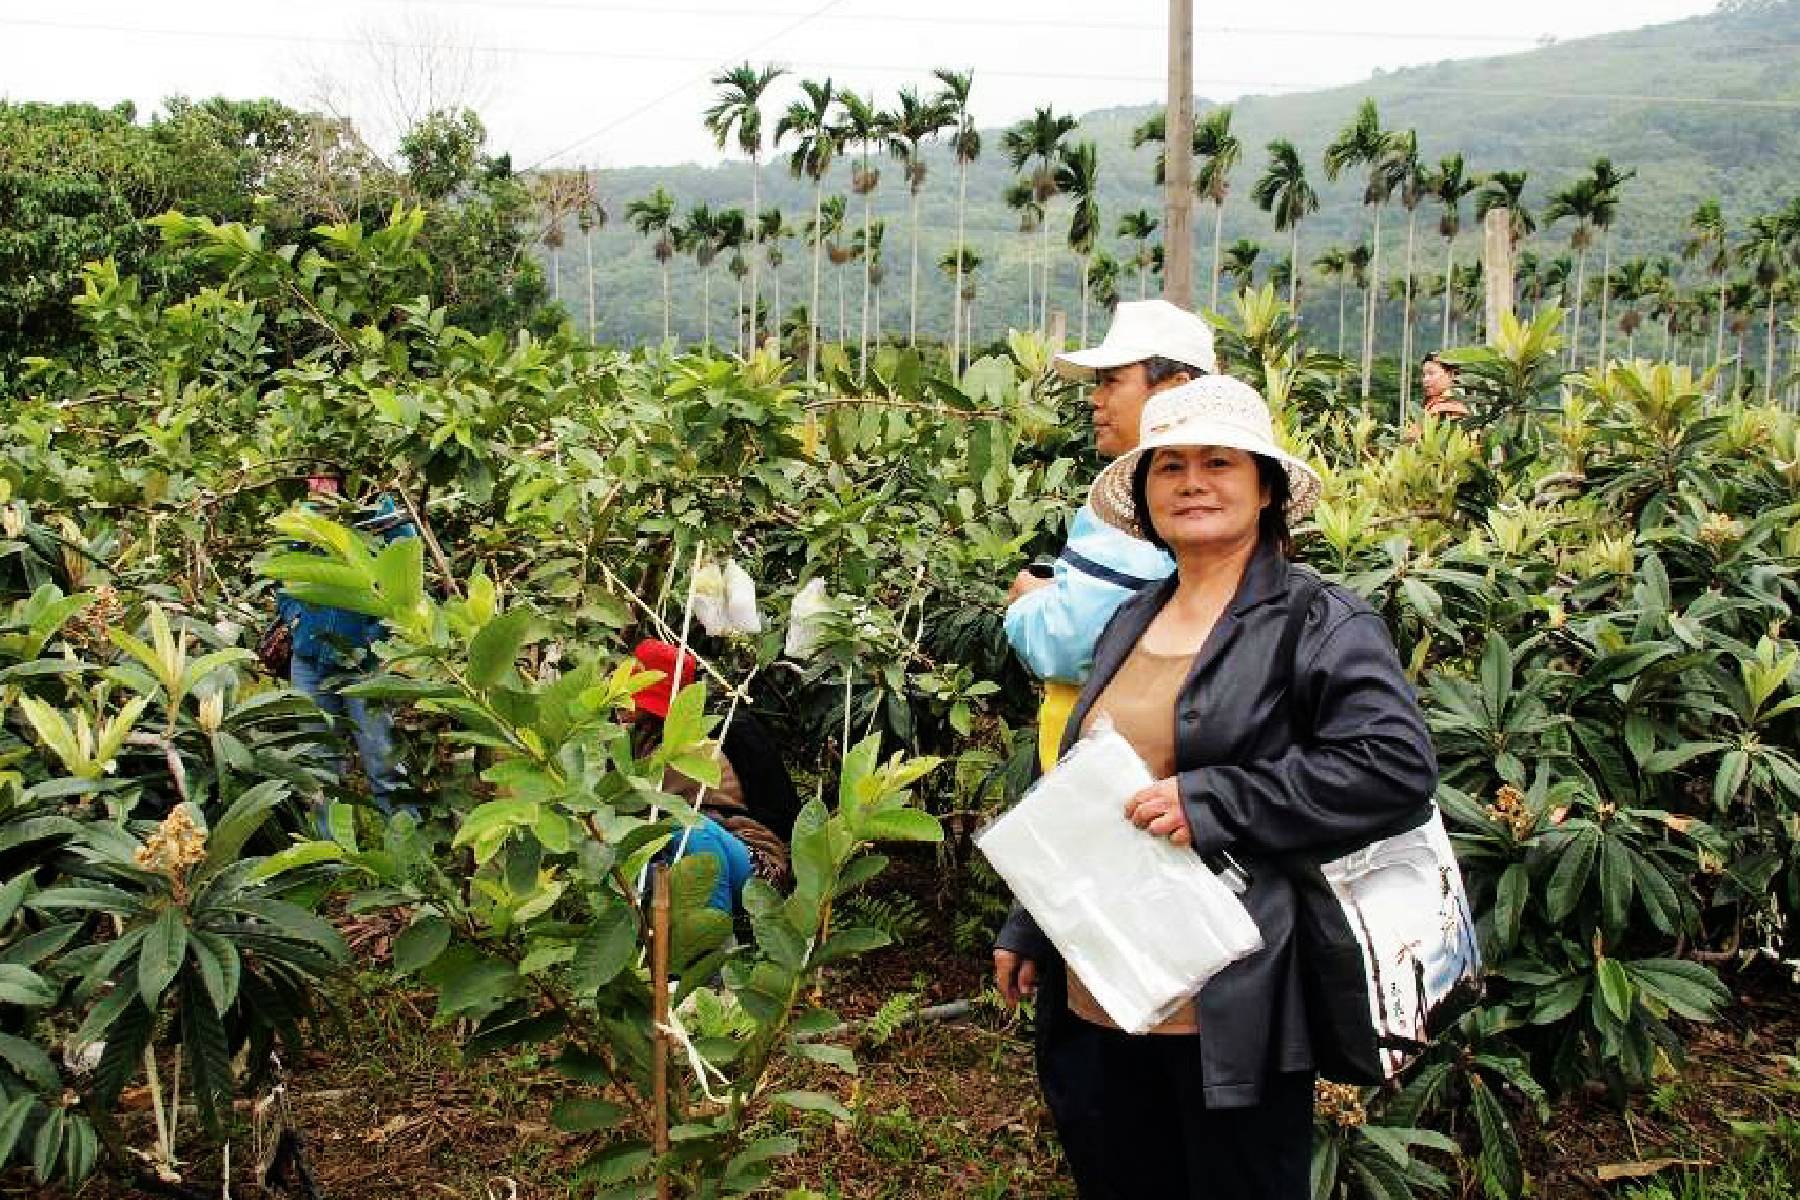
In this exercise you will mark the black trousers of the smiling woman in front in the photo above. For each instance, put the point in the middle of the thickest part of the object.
(1135, 1122)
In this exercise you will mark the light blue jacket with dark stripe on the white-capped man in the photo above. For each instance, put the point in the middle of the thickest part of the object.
(1054, 629)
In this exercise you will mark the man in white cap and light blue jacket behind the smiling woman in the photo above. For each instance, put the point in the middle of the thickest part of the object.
(1054, 622)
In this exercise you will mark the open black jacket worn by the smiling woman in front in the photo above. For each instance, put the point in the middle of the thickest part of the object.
(1252, 789)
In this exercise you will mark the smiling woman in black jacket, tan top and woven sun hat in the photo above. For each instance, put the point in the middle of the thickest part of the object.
(1275, 717)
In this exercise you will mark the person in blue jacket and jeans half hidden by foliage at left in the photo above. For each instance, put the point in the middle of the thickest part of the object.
(332, 647)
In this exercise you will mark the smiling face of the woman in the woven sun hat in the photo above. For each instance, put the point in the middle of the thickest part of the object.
(1205, 497)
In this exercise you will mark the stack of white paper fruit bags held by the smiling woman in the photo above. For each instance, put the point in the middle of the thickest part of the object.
(1142, 922)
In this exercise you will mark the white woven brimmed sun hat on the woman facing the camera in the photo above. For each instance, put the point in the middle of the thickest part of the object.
(1212, 411)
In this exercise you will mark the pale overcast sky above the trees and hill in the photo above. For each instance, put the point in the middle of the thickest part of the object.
(620, 84)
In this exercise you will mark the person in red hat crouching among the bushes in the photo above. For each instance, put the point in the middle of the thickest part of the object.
(753, 794)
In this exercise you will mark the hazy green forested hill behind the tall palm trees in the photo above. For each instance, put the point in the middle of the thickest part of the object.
(1707, 107)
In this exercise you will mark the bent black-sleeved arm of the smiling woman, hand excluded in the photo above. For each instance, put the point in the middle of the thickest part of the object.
(1367, 764)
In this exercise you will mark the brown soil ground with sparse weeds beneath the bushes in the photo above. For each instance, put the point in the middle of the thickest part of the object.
(942, 1111)
